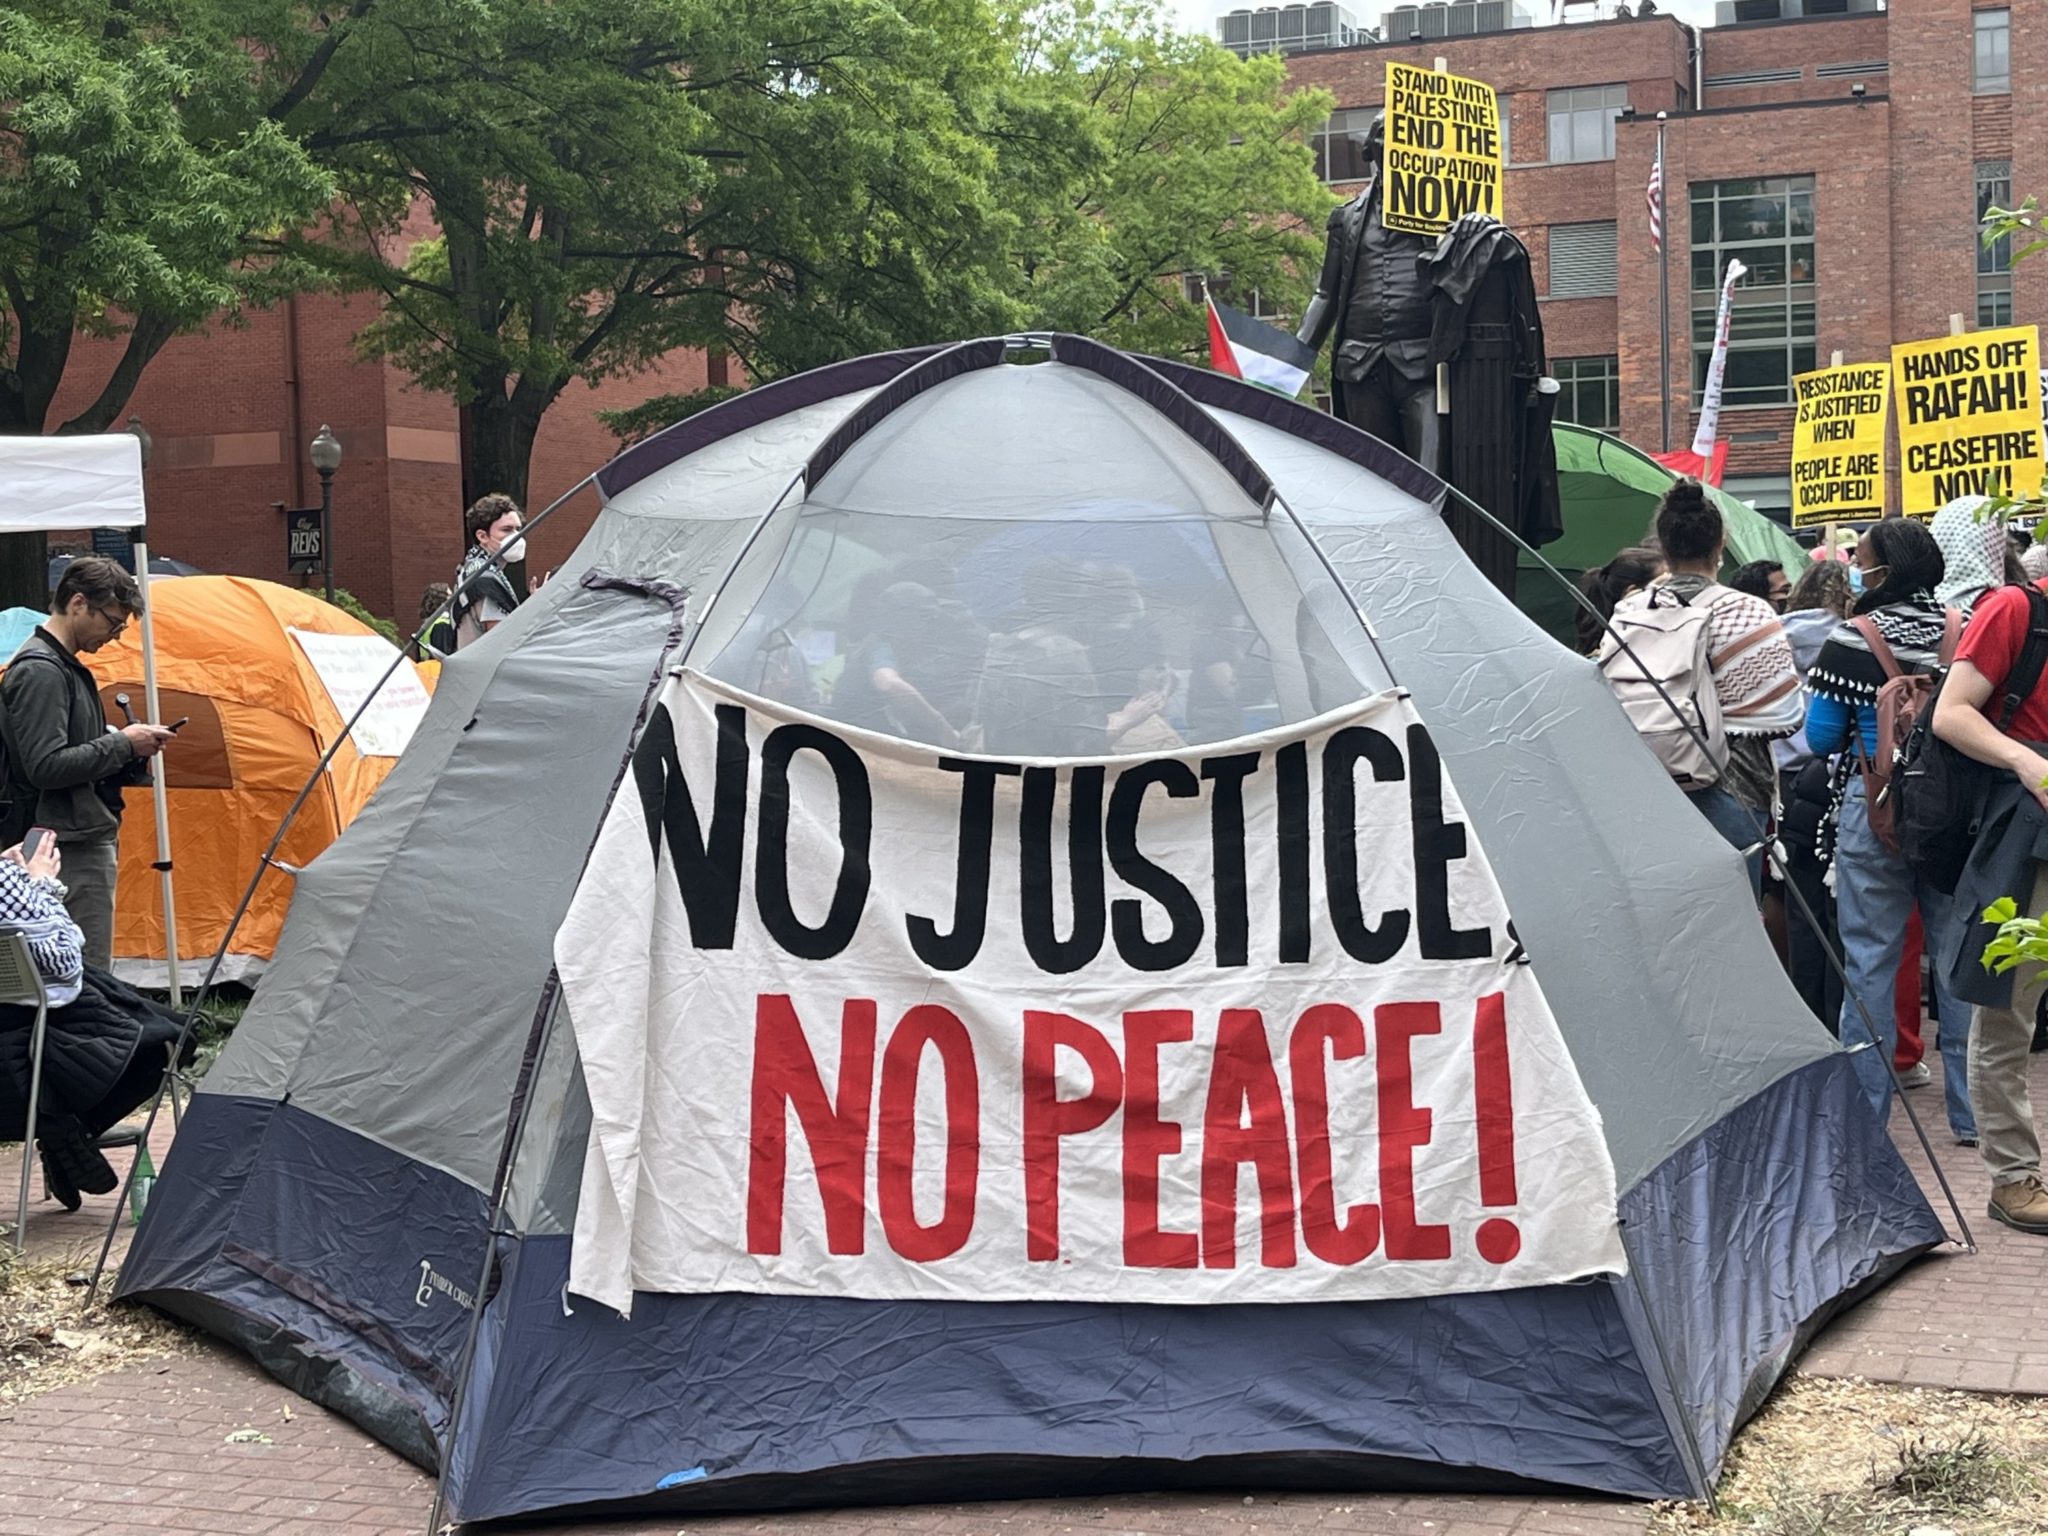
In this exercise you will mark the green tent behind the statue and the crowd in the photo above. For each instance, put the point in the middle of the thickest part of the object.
(1609, 493)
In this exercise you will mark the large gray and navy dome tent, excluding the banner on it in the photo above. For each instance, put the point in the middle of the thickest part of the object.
(407, 1084)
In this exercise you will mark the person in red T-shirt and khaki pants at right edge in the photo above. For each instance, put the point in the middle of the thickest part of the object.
(2002, 1037)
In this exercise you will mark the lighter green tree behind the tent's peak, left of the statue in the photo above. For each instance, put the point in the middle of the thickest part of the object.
(1177, 157)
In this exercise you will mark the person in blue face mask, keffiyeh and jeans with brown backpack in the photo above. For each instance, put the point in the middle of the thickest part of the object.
(1895, 579)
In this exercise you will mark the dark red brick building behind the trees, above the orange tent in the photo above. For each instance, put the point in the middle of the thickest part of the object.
(232, 411)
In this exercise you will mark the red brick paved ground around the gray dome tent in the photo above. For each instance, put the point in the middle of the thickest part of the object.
(146, 1449)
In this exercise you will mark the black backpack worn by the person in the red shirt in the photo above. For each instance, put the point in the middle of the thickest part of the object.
(1938, 794)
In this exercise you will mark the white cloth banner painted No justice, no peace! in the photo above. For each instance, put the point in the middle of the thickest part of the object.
(1230, 1025)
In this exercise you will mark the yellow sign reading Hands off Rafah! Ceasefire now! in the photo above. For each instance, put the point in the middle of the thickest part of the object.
(1969, 417)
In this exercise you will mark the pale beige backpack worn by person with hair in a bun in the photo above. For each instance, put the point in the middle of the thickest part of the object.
(1658, 652)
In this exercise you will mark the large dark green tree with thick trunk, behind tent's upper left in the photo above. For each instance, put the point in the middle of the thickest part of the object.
(615, 179)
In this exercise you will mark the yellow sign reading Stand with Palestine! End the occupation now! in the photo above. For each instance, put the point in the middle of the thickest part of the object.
(1443, 155)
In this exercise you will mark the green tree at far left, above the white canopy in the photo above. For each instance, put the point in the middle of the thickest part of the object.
(138, 165)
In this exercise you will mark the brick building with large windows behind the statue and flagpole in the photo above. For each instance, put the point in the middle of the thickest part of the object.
(1842, 157)
